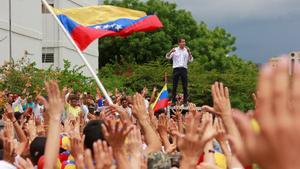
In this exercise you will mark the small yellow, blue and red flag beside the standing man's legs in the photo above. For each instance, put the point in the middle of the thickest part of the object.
(162, 99)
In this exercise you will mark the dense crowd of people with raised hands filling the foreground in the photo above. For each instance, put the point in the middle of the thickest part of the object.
(65, 130)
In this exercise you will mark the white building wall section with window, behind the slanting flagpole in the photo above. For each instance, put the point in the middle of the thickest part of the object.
(54, 39)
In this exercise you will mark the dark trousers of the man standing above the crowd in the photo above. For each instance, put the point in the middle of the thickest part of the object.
(180, 72)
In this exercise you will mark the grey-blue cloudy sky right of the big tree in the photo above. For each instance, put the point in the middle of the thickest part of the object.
(263, 28)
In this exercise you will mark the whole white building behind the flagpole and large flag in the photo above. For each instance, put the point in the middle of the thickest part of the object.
(36, 34)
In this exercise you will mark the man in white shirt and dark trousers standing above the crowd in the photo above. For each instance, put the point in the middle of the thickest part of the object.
(180, 55)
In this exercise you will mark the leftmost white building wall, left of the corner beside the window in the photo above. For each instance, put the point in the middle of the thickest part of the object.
(26, 30)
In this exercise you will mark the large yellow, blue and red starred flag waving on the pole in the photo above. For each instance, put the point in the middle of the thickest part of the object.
(85, 24)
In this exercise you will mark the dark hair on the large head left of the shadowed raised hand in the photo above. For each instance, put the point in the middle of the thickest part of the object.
(92, 132)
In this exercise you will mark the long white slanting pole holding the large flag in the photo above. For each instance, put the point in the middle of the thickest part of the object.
(79, 52)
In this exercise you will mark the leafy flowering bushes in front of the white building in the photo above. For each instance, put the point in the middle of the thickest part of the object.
(15, 77)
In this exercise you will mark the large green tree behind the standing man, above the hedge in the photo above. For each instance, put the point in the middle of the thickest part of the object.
(209, 45)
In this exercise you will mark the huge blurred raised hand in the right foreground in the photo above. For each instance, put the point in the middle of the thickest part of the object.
(277, 145)
